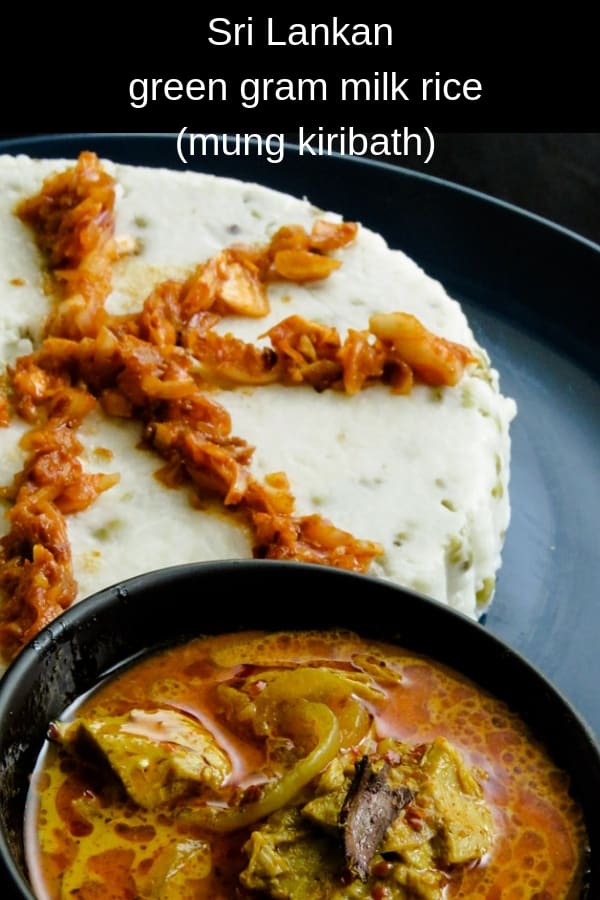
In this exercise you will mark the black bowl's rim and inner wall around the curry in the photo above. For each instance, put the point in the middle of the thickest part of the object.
(149, 611)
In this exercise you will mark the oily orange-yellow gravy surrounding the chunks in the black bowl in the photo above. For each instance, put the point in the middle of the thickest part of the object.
(539, 837)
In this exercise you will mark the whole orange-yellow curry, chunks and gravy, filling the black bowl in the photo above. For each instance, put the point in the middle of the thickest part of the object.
(298, 766)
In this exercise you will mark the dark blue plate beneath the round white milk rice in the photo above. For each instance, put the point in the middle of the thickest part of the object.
(529, 288)
